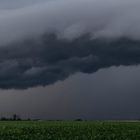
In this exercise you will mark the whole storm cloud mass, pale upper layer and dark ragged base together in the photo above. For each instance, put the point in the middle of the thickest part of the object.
(43, 42)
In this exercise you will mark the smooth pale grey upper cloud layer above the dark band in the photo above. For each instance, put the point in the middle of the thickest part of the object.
(71, 19)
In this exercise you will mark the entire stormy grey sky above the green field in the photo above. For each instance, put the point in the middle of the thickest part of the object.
(70, 59)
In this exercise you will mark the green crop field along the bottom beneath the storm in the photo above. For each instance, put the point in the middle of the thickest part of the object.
(65, 130)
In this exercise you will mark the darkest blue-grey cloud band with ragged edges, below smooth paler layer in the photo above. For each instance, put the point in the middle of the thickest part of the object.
(45, 61)
